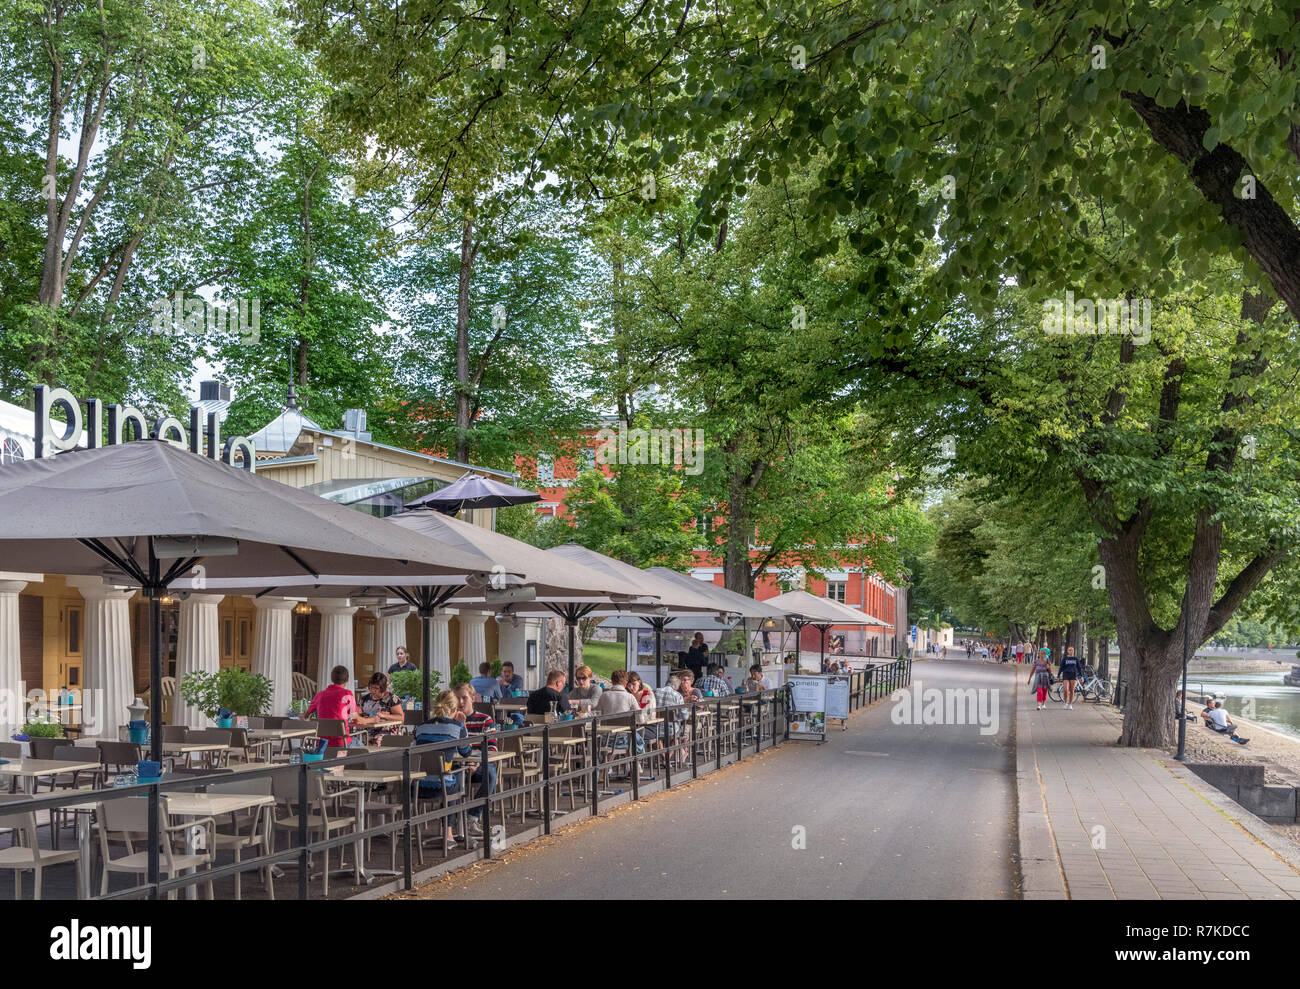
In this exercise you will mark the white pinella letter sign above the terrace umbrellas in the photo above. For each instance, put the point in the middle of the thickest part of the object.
(127, 423)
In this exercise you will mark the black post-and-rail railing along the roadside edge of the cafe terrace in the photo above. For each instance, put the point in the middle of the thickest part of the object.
(687, 743)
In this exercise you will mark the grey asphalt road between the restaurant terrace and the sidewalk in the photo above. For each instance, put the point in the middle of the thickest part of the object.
(918, 812)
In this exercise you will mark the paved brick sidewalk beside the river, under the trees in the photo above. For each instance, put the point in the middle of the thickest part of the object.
(1098, 822)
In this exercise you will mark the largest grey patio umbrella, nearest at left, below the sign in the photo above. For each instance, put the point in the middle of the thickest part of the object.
(153, 515)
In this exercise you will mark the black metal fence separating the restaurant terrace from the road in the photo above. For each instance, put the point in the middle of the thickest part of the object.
(592, 762)
